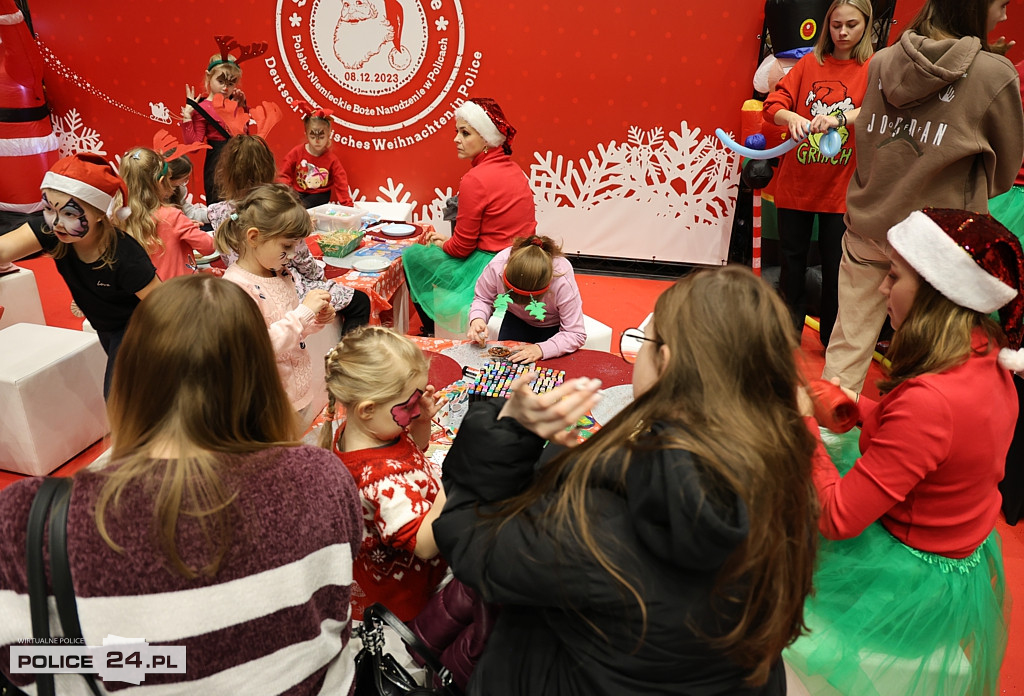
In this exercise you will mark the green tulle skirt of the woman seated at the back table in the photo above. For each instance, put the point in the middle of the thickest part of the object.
(443, 285)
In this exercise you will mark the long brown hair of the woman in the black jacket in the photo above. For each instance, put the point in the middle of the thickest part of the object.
(729, 395)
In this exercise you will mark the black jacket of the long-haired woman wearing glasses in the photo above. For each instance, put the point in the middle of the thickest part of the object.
(556, 597)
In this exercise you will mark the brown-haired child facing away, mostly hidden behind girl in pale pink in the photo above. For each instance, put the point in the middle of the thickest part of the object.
(246, 163)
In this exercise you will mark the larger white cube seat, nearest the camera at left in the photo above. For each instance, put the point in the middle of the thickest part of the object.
(52, 388)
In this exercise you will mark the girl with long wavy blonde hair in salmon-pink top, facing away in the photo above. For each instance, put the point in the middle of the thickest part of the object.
(166, 233)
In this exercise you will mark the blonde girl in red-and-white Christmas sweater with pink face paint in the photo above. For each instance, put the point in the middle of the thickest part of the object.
(380, 379)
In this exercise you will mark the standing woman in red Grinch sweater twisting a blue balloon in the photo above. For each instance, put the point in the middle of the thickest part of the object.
(829, 82)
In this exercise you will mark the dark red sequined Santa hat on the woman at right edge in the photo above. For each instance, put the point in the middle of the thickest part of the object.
(974, 262)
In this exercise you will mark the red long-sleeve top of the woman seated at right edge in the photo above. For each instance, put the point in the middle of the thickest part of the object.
(933, 452)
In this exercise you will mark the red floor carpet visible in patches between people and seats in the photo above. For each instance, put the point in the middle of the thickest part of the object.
(621, 303)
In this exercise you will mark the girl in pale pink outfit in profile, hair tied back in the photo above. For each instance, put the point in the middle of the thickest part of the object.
(265, 232)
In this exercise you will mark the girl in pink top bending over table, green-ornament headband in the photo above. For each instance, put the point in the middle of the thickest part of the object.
(534, 285)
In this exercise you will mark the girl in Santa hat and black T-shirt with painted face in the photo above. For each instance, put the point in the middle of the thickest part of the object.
(106, 270)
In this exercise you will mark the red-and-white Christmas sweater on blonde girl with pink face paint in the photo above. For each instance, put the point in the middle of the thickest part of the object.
(398, 486)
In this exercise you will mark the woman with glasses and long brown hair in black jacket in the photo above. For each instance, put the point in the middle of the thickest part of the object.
(670, 553)
